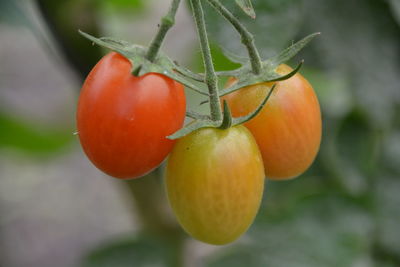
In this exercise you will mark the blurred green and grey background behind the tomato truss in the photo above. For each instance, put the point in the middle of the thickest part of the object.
(57, 209)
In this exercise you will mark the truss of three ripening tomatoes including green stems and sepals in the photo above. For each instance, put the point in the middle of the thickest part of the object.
(128, 118)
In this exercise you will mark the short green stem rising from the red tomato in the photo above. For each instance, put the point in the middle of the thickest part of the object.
(166, 23)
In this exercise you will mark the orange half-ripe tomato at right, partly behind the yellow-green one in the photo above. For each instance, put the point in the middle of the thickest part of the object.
(288, 128)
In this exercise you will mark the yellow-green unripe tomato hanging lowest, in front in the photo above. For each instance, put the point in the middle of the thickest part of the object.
(214, 182)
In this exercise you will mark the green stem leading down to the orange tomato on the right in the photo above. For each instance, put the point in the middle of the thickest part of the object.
(247, 37)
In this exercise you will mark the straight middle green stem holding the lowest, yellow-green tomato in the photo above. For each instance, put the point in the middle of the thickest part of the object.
(210, 76)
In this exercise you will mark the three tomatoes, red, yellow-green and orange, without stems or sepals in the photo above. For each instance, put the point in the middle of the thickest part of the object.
(214, 177)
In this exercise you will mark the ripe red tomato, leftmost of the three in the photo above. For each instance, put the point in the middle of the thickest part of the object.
(123, 120)
